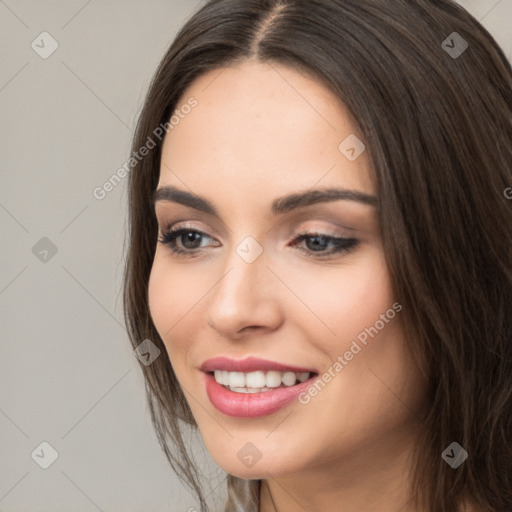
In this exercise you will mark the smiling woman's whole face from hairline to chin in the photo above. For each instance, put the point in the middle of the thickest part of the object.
(246, 286)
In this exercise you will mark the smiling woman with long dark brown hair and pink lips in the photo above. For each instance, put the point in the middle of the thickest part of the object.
(320, 246)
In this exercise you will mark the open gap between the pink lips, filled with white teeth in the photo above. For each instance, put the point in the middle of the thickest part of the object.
(259, 381)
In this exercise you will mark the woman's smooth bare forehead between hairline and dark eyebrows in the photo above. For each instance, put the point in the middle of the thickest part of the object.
(265, 128)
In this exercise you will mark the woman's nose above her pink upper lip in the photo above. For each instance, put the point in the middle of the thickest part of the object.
(245, 298)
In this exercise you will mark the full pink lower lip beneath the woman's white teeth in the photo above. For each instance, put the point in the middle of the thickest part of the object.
(251, 405)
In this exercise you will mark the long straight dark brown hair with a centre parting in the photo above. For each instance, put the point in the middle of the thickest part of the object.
(438, 129)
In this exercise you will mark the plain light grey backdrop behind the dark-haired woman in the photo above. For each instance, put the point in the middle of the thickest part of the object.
(68, 375)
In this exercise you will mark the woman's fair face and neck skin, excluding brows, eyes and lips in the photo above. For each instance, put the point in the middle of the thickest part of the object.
(260, 132)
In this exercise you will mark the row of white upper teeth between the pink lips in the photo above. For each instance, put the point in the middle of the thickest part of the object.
(258, 379)
